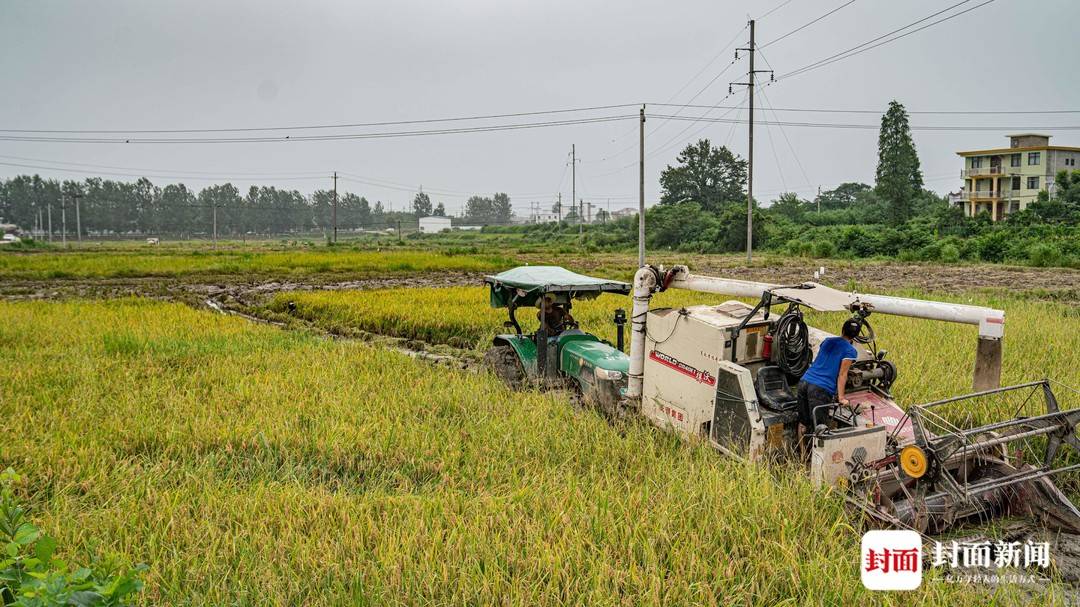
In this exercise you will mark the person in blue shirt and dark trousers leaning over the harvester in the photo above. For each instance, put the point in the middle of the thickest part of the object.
(825, 382)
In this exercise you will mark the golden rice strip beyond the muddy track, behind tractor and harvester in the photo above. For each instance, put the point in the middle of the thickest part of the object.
(935, 359)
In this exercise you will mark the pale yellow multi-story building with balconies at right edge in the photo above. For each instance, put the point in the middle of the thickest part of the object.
(1004, 181)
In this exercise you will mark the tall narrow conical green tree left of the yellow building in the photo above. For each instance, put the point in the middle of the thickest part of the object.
(899, 178)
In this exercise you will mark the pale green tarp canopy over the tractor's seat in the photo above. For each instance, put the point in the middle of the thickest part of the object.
(528, 285)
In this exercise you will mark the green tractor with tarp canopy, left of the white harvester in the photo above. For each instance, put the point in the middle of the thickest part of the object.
(559, 354)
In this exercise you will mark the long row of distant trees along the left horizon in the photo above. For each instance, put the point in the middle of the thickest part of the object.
(113, 208)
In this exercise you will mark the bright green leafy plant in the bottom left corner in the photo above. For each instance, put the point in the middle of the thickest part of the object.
(31, 575)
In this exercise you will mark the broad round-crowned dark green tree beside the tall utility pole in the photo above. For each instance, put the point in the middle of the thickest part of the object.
(705, 174)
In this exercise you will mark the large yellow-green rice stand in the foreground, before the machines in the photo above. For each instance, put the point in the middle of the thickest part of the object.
(250, 466)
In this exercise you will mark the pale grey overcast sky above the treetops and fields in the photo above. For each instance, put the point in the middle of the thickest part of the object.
(139, 64)
